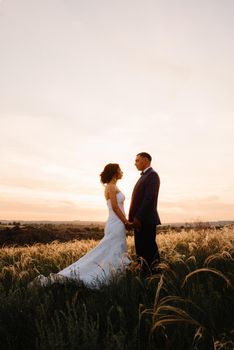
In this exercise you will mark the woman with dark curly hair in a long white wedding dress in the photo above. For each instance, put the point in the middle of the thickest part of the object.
(110, 255)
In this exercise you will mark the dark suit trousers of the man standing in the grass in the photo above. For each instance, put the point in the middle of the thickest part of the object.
(145, 244)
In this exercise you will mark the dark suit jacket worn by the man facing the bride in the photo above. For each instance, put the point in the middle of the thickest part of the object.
(144, 199)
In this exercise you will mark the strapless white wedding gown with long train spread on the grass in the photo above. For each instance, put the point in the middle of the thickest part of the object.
(107, 258)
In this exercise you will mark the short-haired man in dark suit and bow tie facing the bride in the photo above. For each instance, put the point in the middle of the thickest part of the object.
(143, 212)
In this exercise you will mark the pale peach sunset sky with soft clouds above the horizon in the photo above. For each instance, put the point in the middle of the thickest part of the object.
(86, 83)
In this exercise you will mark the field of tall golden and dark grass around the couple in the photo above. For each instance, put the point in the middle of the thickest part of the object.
(190, 305)
